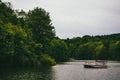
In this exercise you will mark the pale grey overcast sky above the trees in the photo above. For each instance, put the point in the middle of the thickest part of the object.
(76, 18)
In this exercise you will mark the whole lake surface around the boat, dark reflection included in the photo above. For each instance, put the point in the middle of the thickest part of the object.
(66, 71)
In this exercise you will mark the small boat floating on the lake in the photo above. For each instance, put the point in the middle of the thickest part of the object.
(96, 64)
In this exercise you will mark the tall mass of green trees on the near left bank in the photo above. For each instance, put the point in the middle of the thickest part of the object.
(24, 37)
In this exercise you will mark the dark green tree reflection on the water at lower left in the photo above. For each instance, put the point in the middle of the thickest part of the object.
(27, 74)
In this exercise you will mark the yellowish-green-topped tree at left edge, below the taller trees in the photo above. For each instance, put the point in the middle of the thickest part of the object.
(12, 40)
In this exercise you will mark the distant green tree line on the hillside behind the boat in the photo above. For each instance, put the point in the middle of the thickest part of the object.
(104, 47)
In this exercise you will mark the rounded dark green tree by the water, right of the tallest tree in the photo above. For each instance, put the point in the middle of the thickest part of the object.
(59, 50)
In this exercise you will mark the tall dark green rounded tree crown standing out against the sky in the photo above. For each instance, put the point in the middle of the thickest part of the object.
(39, 22)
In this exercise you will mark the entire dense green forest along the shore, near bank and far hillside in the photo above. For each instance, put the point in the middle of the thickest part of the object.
(28, 39)
